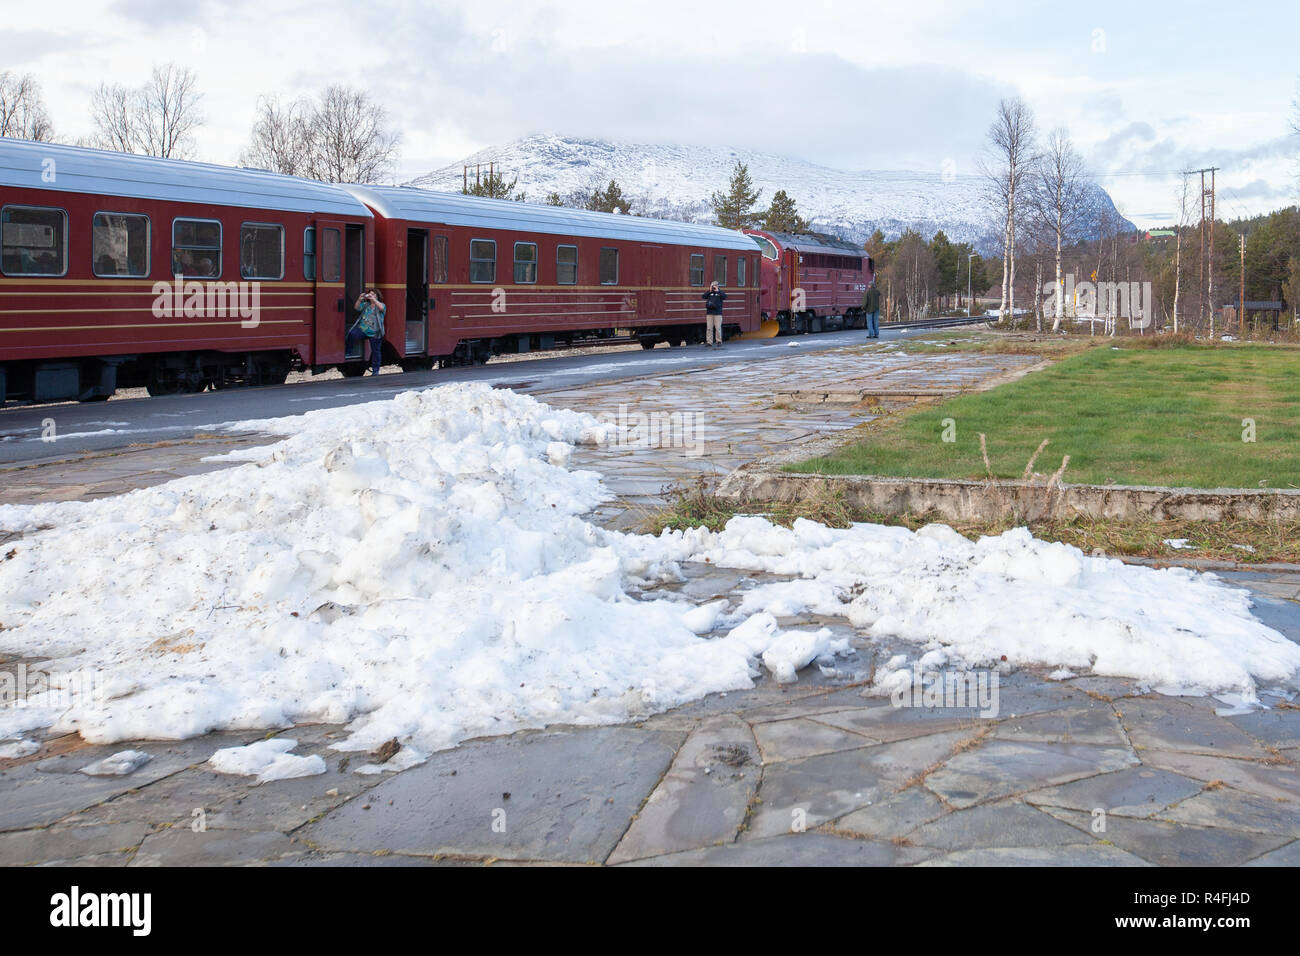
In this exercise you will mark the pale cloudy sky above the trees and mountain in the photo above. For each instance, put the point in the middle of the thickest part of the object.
(1145, 89)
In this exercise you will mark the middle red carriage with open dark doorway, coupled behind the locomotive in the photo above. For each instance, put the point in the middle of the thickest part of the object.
(466, 278)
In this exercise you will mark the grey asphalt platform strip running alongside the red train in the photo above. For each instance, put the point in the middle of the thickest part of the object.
(102, 426)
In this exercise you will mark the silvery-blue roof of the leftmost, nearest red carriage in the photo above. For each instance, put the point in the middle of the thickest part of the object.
(101, 172)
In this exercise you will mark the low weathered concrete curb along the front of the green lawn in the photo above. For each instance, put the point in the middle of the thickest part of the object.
(974, 501)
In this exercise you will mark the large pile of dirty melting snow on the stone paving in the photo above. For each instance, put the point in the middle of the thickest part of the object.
(421, 569)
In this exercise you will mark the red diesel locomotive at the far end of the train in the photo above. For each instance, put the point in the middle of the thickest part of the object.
(812, 283)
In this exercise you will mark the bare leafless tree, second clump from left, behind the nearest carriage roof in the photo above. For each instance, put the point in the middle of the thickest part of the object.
(158, 119)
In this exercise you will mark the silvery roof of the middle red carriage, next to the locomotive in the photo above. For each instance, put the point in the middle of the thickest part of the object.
(458, 210)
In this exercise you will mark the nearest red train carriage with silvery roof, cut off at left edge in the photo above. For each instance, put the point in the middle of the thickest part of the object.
(120, 271)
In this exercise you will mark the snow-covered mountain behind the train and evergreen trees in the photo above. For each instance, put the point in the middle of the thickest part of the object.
(677, 183)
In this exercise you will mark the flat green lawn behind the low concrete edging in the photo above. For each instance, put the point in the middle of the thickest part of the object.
(1133, 417)
